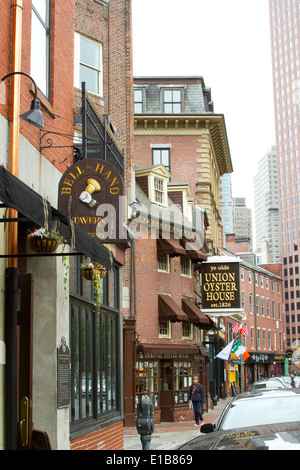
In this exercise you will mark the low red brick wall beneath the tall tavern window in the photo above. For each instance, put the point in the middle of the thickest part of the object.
(110, 438)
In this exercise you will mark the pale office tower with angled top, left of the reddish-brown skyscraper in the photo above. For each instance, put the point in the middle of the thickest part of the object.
(266, 205)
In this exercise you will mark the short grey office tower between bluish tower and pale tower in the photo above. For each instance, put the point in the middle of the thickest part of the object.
(242, 219)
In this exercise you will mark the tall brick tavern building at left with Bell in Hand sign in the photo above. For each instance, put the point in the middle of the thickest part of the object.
(81, 406)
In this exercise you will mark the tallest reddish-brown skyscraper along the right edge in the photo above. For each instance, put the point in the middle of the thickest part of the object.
(285, 41)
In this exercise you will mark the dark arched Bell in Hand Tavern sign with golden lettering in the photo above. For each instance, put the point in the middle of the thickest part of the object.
(90, 193)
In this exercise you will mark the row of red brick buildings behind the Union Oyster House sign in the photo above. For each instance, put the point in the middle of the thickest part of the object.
(262, 301)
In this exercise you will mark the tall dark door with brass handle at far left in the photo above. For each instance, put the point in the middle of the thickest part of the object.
(25, 328)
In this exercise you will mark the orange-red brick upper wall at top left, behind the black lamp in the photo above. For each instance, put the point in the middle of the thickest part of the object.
(58, 111)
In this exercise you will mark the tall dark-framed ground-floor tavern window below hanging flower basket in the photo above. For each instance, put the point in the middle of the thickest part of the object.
(94, 339)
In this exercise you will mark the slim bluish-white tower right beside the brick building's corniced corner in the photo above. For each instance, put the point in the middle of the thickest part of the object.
(226, 205)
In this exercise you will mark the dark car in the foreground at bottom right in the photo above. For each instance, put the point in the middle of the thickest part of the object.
(262, 419)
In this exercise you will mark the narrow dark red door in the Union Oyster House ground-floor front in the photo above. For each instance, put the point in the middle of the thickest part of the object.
(166, 391)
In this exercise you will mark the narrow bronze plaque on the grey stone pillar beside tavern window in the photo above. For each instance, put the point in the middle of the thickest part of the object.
(63, 375)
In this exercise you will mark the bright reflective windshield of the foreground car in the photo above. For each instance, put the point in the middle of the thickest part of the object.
(260, 411)
